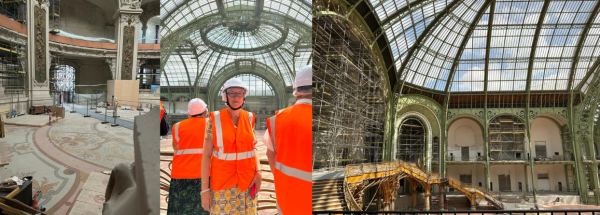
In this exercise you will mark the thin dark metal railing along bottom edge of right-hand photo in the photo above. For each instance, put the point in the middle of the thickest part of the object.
(482, 212)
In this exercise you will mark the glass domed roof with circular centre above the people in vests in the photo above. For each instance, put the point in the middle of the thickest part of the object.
(272, 33)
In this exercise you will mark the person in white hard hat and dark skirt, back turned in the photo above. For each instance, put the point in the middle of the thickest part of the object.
(186, 180)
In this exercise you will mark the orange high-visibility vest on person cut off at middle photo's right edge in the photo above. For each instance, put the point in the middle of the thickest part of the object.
(291, 135)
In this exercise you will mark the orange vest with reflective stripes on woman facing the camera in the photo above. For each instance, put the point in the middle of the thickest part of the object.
(233, 162)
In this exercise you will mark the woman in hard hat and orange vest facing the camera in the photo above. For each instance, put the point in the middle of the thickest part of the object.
(235, 175)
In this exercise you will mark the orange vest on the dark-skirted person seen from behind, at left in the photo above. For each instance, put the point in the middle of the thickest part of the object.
(189, 141)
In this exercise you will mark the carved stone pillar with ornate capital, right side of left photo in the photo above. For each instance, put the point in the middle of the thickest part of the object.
(127, 20)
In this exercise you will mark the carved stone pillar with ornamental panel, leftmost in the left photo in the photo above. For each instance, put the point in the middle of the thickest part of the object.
(38, 54)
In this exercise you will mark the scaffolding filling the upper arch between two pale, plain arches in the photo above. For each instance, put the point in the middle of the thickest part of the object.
(507, 138)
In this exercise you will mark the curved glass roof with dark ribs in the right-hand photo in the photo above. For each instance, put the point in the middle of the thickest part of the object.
(433, 46)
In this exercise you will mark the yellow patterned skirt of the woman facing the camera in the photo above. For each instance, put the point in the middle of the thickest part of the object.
(232, 201)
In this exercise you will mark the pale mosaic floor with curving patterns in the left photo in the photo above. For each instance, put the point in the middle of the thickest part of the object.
(62, 156)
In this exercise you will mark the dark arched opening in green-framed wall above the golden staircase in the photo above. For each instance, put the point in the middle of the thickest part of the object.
(411, 140)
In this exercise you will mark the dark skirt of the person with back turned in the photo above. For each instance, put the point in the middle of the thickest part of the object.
(184, 197)
